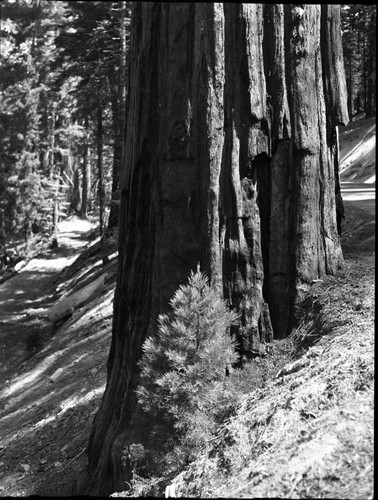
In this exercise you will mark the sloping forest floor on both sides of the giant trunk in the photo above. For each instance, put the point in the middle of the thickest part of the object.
(307, 434)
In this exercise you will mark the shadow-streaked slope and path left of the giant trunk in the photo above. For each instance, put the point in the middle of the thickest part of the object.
(51, 393)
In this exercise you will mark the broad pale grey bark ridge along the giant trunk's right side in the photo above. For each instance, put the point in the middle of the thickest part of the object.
(314, 243)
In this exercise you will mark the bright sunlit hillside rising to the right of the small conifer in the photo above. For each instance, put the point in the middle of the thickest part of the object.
(309, 432)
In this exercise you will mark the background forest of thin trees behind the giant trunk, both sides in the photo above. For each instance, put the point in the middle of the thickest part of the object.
(63, 74)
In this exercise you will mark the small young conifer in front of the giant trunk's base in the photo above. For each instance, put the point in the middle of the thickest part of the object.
(184, 368)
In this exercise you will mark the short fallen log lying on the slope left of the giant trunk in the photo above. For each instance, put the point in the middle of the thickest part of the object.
(65, 306)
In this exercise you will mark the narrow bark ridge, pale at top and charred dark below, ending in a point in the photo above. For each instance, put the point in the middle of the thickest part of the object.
(280, 283)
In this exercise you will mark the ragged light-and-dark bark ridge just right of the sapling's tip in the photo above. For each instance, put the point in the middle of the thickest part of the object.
(246, 140)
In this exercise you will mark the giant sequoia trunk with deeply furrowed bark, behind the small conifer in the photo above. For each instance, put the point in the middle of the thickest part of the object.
(230, 162)
